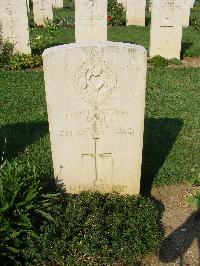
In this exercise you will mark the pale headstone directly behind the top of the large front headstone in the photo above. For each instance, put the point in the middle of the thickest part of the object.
(90, 20)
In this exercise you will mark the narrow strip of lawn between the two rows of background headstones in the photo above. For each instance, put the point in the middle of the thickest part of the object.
(130, 34)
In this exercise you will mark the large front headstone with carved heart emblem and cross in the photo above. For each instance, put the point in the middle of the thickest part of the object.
(96, 99)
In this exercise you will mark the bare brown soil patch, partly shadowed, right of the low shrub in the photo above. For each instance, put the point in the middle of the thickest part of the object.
(181, 224)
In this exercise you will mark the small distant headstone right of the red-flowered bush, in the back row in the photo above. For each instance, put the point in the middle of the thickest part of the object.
(135, 12)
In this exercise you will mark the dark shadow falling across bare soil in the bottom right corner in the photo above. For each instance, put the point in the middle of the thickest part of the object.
(178, 242)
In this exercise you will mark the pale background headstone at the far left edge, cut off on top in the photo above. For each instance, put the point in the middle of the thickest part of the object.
(14, 24)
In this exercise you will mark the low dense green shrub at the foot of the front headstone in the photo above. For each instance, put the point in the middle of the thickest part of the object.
(96, 229)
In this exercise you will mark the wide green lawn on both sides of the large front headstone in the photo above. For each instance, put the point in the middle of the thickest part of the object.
(171, 139)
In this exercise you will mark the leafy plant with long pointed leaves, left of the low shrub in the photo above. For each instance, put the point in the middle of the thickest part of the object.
(23, 207)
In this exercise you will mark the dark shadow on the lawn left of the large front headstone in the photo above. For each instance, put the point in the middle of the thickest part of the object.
(19, 136)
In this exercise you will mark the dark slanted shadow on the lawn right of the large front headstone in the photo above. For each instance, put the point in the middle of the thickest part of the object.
(159, 137)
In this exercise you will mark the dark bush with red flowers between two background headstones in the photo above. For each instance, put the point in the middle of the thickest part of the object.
(116, 14)
